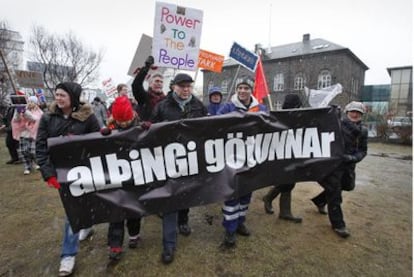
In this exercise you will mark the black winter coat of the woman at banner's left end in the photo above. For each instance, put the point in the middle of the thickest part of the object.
(54, 124)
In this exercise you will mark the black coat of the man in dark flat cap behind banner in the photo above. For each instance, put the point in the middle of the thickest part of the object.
(169, 110)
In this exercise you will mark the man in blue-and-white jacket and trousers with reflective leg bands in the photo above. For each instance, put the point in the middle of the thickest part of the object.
(234, 210)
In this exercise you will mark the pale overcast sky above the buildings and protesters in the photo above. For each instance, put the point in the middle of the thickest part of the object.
(379, 32)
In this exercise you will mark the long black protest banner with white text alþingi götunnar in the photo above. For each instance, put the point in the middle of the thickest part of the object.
(191, 162)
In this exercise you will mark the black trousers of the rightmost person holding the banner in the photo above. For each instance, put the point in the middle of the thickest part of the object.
(332, 196)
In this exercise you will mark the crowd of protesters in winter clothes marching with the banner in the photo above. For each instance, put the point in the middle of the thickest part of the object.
(28, 127)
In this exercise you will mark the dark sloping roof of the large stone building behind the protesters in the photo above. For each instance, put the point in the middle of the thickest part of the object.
(302, 48)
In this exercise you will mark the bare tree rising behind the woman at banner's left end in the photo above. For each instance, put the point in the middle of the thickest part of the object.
(63, 58)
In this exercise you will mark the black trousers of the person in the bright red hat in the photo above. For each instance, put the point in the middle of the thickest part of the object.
(116, 231)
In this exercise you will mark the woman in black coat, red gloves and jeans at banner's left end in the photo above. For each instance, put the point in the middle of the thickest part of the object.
(67, 116)
